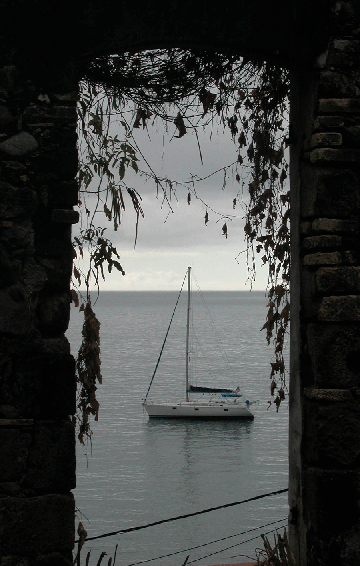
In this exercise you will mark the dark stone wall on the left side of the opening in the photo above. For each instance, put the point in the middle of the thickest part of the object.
(38, 165)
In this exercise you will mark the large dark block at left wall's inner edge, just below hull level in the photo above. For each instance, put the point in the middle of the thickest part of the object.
(51, 458)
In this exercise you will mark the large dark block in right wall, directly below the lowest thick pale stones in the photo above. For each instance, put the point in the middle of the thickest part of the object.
(334, 352)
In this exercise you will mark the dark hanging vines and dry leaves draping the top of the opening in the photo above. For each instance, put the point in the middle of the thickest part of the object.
(186, 90)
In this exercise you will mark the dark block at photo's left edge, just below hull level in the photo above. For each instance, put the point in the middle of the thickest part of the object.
(14, 450)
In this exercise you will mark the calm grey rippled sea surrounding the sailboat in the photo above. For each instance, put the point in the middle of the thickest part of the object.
(136, 471)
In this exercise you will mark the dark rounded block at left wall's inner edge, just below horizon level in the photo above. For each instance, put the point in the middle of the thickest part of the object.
(53, 313)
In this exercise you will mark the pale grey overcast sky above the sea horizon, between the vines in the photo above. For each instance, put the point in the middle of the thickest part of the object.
(168, 242)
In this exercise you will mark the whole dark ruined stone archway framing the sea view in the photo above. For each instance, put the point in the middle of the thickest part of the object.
(45, 48)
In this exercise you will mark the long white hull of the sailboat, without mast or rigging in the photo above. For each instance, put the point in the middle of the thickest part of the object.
(194, 410)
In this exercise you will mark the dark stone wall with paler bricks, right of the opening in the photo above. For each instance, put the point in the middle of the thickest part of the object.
(325, 404)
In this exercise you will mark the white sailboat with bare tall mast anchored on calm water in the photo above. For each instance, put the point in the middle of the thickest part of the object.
(220, 404)
